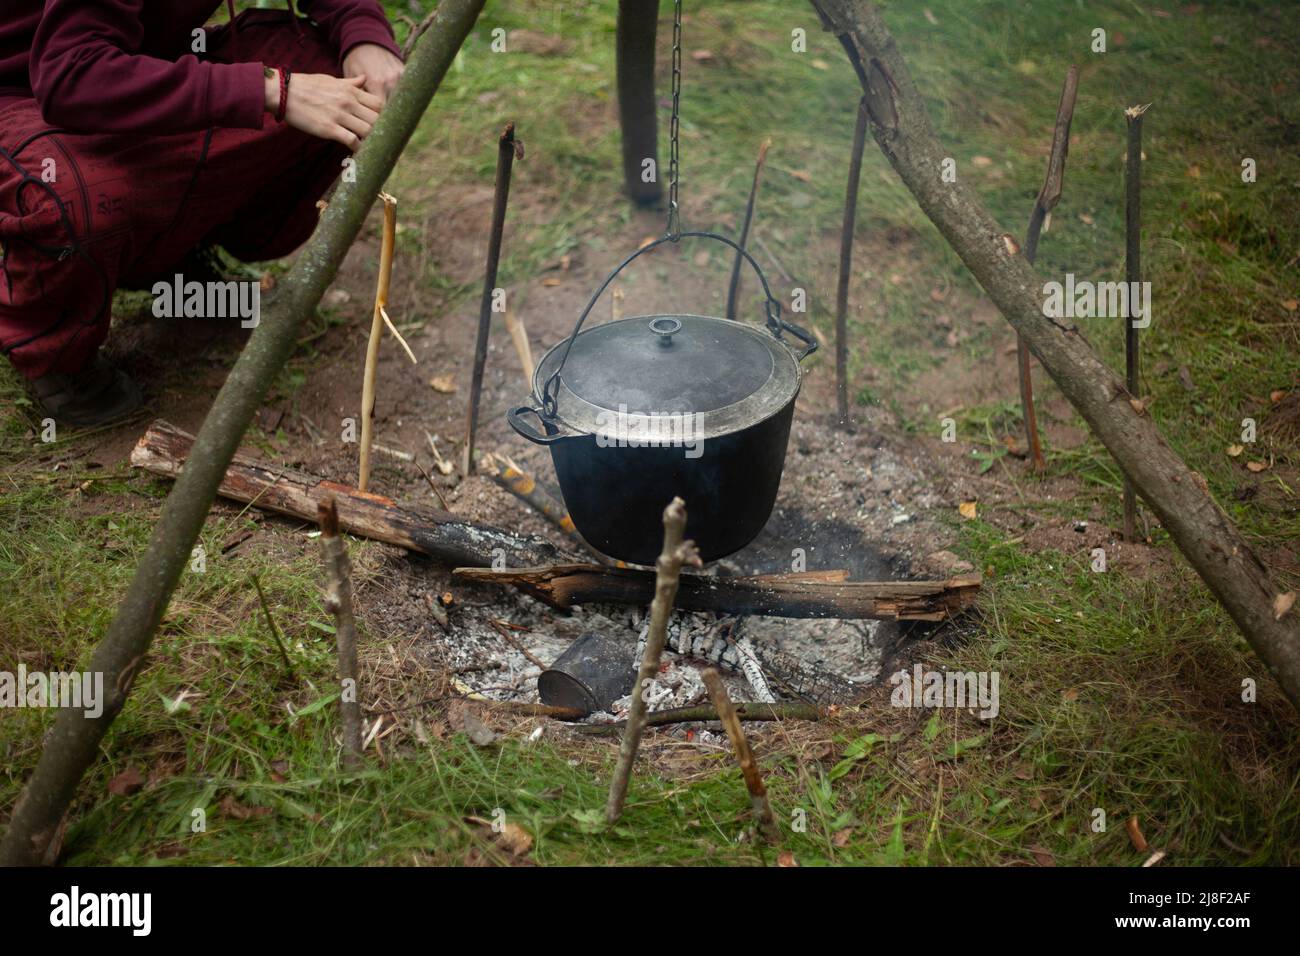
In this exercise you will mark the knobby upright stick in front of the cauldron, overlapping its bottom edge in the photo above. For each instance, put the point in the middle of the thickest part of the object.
(668, 572)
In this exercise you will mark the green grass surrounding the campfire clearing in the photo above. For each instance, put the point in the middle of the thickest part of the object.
(1119, 693)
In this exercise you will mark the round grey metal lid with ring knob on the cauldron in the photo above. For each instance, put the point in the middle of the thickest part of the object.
(640, 373)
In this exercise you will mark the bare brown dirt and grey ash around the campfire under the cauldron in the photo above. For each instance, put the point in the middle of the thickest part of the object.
(874, 499)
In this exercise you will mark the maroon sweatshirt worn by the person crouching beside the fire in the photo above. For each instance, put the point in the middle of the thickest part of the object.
(129, 66)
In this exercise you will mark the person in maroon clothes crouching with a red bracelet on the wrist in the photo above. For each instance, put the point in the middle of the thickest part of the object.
(133, 136)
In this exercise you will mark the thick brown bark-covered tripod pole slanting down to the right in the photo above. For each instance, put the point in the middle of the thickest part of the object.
(1177, 495)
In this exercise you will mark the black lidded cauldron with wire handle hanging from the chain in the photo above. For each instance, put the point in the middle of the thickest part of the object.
(652, 408)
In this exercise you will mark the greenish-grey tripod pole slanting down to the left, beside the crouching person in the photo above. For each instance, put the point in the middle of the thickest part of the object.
(73, 742)
